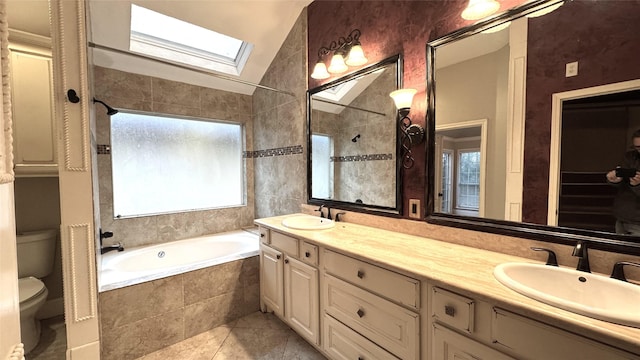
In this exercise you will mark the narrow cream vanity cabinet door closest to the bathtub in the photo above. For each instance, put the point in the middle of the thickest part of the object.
(271, 279)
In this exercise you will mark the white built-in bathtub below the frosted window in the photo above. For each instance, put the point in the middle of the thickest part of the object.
(144, 263)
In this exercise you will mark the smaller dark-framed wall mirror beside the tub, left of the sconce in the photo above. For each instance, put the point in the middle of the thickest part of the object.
(352, 138)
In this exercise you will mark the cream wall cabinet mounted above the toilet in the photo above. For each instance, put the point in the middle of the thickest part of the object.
(34, 134)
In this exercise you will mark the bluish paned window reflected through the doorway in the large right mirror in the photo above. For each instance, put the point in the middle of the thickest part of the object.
(468, 189)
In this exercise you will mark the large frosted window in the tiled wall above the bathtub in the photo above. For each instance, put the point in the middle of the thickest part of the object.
(164, 165)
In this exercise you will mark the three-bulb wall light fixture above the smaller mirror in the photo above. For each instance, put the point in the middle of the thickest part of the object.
(348, 46)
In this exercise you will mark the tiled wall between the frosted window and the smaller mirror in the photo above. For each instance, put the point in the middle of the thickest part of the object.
(279, 124)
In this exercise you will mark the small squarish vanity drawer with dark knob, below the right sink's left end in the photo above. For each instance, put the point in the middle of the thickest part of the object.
(452, 309)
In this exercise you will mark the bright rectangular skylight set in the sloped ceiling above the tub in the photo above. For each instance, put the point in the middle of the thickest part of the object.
(162, 36)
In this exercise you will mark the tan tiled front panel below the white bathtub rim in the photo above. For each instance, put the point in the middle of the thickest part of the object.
(143, 318)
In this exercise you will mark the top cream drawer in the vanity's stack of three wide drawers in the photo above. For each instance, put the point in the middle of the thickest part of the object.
(396, 287)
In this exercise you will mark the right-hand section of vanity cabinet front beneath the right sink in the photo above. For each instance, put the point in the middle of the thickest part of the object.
(464, 328)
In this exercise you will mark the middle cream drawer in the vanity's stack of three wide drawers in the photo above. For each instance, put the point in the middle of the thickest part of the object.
(391, 326)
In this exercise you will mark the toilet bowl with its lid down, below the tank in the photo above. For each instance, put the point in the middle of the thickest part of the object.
(33, 294)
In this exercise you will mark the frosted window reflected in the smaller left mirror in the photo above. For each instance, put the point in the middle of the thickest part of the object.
(322, 166)
